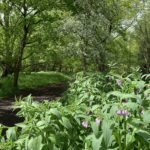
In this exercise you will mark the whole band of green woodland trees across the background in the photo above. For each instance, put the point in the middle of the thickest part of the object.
(73, 35)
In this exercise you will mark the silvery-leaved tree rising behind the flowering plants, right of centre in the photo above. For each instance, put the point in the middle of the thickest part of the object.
(100, 23)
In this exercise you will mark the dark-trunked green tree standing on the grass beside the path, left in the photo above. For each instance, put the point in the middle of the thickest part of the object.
(22, 20)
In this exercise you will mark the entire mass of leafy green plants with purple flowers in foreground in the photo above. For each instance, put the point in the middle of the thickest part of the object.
(101, 112)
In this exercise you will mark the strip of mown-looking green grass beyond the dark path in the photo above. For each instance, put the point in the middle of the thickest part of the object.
(30, 81)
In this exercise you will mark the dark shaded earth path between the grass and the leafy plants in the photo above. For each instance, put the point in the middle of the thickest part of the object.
(50, 92)
